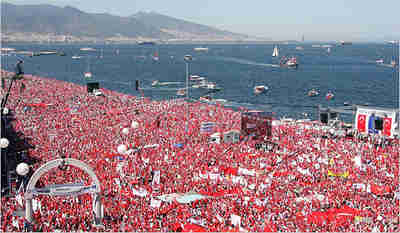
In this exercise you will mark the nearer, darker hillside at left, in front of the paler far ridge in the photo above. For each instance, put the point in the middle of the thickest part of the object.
(69, 20)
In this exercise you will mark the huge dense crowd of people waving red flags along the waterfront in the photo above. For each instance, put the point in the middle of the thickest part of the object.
(309, 182)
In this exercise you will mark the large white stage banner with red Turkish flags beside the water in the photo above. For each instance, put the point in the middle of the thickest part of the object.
(375, 121)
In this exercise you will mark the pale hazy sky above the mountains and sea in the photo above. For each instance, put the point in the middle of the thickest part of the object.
(356, 20)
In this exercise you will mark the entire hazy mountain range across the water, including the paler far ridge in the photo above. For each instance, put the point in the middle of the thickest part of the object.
(70, 21)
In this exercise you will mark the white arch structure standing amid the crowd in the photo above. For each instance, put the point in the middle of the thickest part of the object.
(95, 188)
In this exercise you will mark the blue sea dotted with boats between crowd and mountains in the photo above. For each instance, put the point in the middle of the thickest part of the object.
(350, 72)
